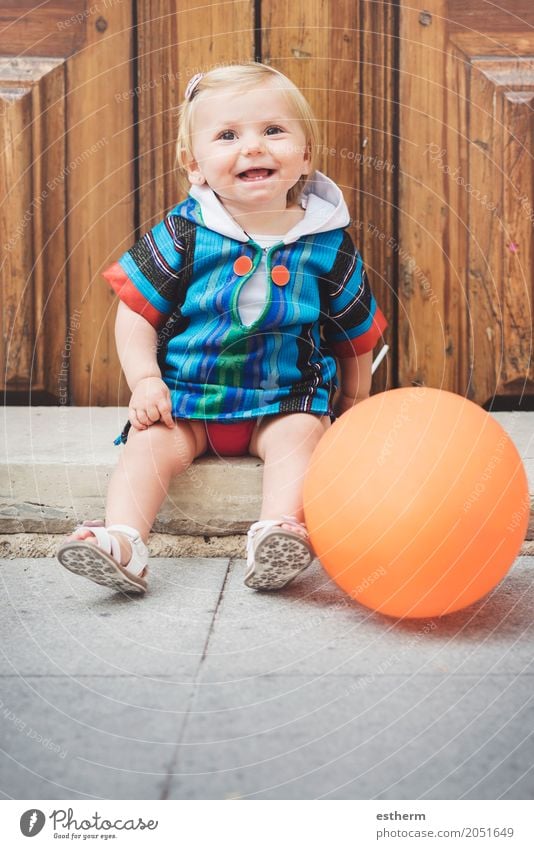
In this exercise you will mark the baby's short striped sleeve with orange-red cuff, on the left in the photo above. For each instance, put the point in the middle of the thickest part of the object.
(147, 277)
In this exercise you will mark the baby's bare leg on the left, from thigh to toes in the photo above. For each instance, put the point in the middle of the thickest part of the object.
(141, 480)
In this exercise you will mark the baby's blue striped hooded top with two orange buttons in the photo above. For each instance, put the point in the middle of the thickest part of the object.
(185, 276)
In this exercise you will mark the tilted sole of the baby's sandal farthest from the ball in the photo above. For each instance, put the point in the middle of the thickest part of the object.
(90, 562)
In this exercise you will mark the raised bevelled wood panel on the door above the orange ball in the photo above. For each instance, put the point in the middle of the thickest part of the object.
(501, 234)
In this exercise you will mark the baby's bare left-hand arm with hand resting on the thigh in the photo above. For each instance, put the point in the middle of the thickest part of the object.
(136, 341)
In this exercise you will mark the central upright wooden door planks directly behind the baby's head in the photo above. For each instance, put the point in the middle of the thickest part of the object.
(339, 52)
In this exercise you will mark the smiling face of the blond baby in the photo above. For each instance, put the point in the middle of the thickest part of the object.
(248, 147)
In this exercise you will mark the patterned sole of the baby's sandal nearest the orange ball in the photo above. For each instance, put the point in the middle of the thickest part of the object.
(277, 561)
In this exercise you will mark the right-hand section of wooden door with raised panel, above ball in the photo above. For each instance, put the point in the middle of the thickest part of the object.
(466, 203)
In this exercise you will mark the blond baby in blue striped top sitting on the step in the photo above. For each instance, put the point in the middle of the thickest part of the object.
(235, 312)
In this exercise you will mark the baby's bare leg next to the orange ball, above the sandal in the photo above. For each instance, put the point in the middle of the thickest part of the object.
(285, 443)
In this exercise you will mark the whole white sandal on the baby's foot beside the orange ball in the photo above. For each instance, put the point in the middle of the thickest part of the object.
(275, 555)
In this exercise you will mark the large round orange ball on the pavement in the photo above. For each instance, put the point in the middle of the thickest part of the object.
(416, 502)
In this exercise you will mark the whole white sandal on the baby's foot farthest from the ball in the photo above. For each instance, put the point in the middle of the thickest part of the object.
(101, 562)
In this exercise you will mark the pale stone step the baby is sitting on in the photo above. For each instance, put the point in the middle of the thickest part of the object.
(56, 464)
